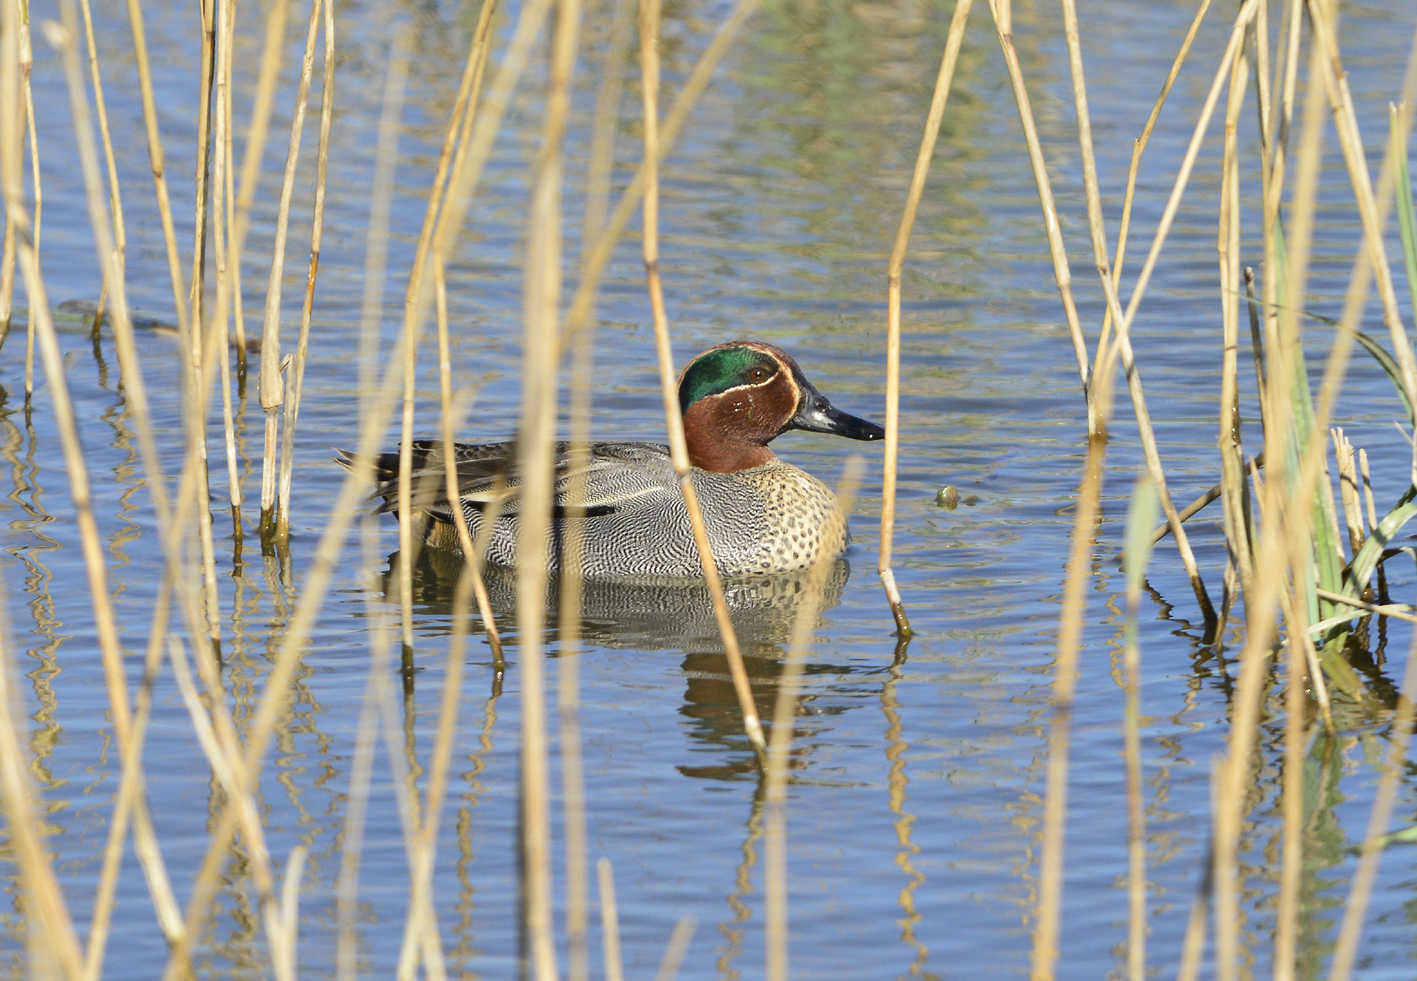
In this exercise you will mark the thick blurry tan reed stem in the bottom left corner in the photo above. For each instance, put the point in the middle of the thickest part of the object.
(45, 904)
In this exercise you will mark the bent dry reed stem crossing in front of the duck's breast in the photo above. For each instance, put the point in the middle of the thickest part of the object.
(674, 416)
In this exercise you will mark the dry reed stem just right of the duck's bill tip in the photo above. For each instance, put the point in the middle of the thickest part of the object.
(893, 271)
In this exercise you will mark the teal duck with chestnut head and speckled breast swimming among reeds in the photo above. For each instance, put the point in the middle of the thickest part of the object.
(763, 515)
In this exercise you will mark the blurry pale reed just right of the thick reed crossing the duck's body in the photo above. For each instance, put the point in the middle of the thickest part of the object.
(569, 664)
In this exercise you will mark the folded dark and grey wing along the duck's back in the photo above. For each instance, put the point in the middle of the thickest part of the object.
(611, 476)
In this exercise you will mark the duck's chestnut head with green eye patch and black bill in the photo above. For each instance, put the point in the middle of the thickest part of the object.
(740, 396)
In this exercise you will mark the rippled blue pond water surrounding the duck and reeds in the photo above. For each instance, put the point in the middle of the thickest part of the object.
(918, 772)
